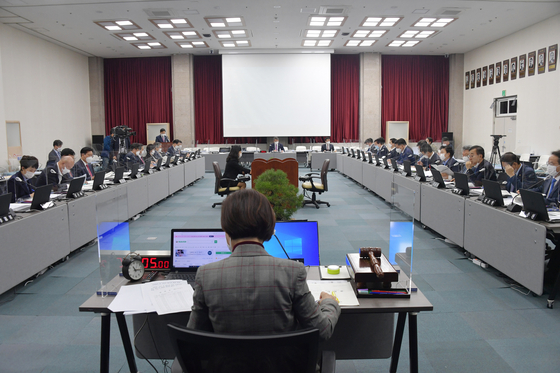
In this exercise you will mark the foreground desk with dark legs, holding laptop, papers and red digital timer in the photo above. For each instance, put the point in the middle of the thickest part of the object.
(363, 332)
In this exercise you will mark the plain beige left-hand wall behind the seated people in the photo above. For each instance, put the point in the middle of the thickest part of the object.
(46, 88)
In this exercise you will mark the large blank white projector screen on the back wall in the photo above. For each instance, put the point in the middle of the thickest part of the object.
(267, 95)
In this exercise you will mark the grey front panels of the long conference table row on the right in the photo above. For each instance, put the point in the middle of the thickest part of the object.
(508, 242)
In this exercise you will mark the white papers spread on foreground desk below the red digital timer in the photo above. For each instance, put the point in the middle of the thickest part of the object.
(163, 297)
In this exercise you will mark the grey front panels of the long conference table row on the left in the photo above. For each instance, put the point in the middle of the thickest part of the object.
(72, 223)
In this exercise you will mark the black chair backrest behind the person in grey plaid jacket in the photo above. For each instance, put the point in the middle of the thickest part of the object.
(200, 351)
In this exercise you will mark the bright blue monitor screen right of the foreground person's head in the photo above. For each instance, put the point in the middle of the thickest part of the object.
(300, 240)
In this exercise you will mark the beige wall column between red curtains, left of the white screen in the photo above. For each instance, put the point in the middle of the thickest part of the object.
(183, 98)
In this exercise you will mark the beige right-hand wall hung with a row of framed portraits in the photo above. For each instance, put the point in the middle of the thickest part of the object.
(538, 96)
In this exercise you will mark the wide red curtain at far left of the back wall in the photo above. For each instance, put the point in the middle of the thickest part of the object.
(138, 91)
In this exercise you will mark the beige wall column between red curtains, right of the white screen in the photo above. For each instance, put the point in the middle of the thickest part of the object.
(370, 96)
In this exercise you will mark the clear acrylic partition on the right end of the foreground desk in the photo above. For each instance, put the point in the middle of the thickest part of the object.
(401, 232)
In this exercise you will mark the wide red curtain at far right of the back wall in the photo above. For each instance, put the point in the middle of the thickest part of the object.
(416, 89)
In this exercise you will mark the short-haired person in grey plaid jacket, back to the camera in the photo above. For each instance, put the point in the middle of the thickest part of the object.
(251, 292)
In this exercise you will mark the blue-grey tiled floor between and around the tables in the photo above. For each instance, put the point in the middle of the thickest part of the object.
(478, 324)
